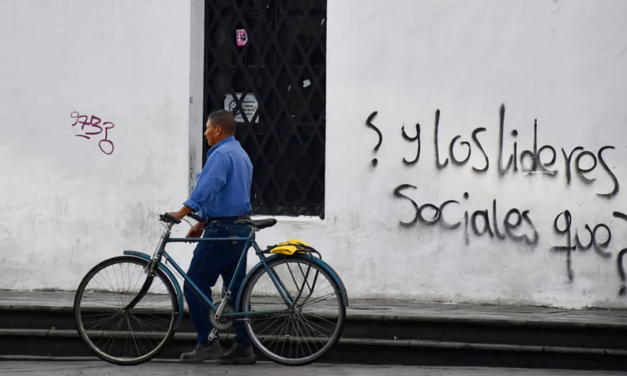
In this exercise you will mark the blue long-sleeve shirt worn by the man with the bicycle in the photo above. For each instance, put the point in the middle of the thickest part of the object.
(223, 187)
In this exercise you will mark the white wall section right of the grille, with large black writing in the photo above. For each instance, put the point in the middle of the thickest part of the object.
(563, 63)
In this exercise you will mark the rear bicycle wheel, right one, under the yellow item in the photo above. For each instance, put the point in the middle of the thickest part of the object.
(303, 331)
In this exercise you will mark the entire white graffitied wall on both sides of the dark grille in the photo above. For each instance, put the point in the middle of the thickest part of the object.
(64, 205)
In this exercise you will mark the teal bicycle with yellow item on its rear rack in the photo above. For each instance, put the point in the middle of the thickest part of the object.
(132, 324)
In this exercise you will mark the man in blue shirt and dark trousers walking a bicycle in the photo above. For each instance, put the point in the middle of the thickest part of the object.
(221, 197)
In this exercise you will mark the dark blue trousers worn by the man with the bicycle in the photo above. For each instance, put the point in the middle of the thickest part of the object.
(211, 260)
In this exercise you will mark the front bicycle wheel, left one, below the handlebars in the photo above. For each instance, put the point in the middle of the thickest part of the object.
(113, 330)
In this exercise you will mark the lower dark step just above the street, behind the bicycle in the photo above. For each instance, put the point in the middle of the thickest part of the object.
(46, 345)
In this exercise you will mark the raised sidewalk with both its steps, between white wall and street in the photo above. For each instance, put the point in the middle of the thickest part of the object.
(41, 324)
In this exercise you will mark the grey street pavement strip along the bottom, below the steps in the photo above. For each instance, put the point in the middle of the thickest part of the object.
(160, 368)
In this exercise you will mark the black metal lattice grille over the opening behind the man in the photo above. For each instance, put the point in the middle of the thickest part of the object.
(265, 60)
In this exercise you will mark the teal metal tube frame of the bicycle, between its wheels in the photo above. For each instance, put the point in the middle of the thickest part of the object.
(160, 253)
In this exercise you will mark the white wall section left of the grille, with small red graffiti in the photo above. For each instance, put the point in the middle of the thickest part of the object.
(64, 204)
